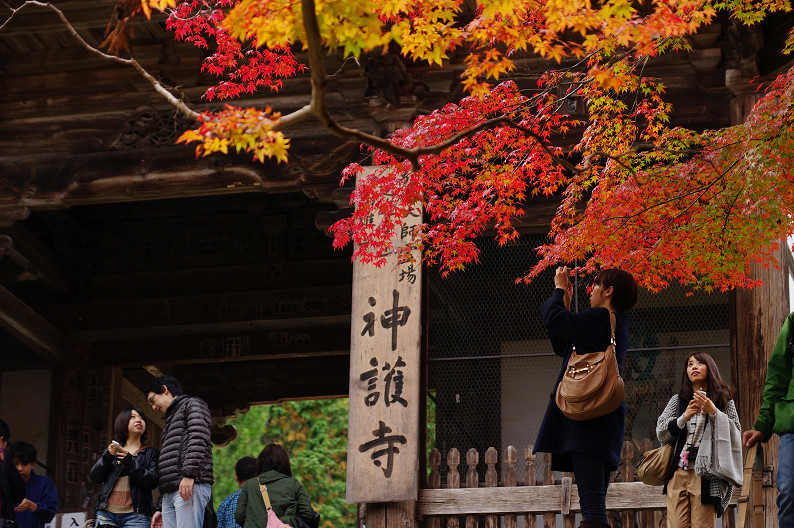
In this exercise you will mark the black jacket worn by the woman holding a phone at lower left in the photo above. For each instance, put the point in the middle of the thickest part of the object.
(142, 470)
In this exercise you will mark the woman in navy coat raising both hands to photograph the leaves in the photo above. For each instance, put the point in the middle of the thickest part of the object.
(588, 448)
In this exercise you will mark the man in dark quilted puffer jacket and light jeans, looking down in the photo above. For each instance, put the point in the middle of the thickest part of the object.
(185, 464)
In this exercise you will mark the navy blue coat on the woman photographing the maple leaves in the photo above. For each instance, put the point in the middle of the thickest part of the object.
(590, 331)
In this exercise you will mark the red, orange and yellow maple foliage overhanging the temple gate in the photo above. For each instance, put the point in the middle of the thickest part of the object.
(667, 203)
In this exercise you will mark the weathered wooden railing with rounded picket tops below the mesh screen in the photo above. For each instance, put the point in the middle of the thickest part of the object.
(465, 501)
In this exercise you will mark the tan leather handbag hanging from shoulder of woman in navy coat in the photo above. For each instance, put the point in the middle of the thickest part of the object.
(591, 385)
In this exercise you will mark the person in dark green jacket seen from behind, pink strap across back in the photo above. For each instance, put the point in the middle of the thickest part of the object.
(287, 497)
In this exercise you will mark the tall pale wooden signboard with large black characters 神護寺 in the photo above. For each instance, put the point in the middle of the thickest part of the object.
(383, 427)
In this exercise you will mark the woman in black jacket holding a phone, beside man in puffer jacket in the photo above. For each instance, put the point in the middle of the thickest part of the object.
(127, 471)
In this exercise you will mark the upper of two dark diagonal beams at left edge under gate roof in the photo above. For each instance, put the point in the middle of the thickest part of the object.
(36, 258)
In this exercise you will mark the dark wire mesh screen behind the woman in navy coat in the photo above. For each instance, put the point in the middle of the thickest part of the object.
(492, 369)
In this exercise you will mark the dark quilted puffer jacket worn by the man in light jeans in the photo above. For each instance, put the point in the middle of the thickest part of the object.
(187, 451)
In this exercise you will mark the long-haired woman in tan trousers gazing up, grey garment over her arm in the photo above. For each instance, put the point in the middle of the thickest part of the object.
(704, 399)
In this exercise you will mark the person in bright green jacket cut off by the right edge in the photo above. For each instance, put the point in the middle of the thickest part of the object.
(777, 416)
